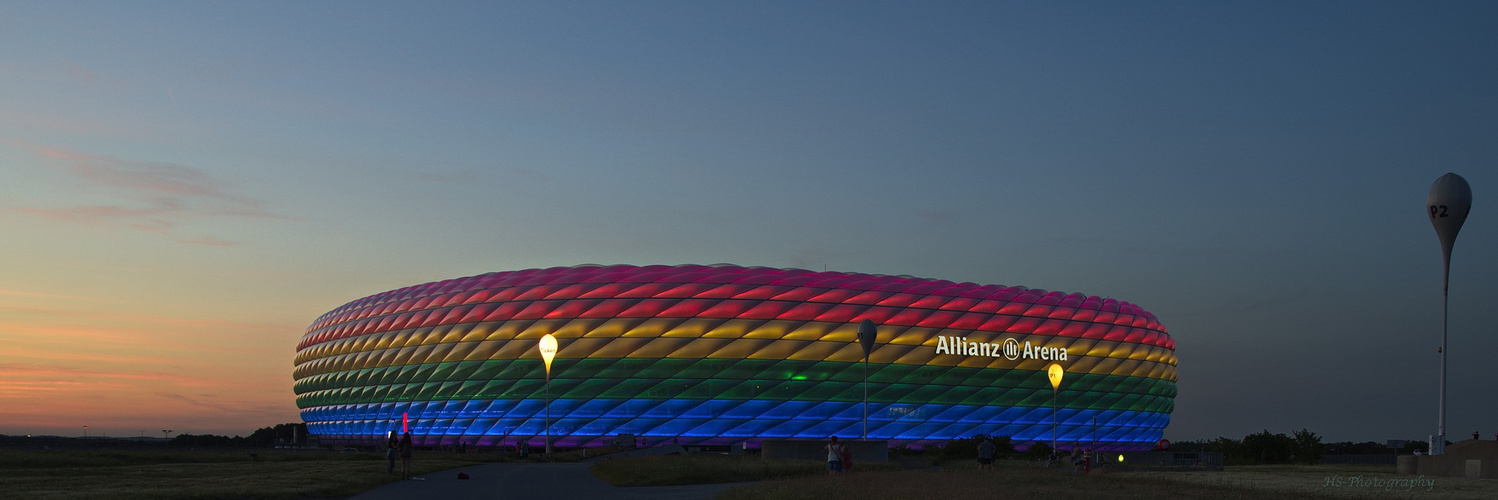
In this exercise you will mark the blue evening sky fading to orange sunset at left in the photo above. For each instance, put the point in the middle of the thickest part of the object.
(188, 185)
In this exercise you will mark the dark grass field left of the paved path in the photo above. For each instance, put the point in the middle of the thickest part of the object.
(182, 474)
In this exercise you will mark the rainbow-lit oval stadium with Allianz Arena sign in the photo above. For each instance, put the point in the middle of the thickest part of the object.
(727, 356)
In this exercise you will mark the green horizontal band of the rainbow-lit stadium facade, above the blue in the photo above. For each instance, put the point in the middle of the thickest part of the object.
(730, 379)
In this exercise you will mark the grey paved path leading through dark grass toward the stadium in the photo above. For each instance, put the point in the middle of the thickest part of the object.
(531, 481)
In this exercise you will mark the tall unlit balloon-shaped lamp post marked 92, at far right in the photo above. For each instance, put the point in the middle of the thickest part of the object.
(1449, 203)
